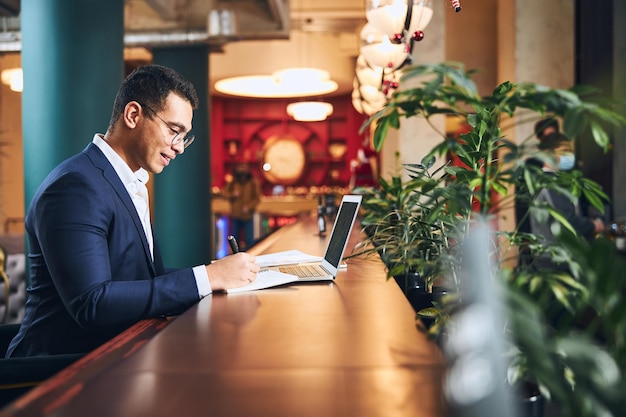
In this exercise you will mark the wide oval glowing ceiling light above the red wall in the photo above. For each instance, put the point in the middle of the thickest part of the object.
(286, 83)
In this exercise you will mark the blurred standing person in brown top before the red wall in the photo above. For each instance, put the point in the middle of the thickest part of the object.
(244, 194)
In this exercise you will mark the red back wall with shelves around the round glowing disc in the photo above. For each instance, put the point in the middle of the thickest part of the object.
(240, 128)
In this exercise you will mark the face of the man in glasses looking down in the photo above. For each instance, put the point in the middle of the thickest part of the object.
(153, 149)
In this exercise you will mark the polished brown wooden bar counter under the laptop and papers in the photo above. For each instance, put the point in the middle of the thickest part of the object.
(348, 348)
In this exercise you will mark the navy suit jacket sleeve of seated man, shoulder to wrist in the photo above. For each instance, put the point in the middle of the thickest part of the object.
(87, 235)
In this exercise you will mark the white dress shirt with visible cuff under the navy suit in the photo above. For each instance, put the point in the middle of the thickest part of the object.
(135, 183)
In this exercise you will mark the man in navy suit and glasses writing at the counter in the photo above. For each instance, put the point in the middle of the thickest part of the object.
(95, 266)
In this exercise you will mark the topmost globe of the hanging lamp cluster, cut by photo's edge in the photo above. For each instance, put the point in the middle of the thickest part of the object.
(394, 17)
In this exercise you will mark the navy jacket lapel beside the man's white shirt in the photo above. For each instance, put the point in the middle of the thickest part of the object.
(99, 161)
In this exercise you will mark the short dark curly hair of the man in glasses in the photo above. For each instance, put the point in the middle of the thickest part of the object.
(150, 85)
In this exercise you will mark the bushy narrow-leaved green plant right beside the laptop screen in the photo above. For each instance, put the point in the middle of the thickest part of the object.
(400, 218)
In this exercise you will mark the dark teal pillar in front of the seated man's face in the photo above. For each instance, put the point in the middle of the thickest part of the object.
(181, 201)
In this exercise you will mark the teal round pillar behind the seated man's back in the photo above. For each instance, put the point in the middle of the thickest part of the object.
(73, 63)
